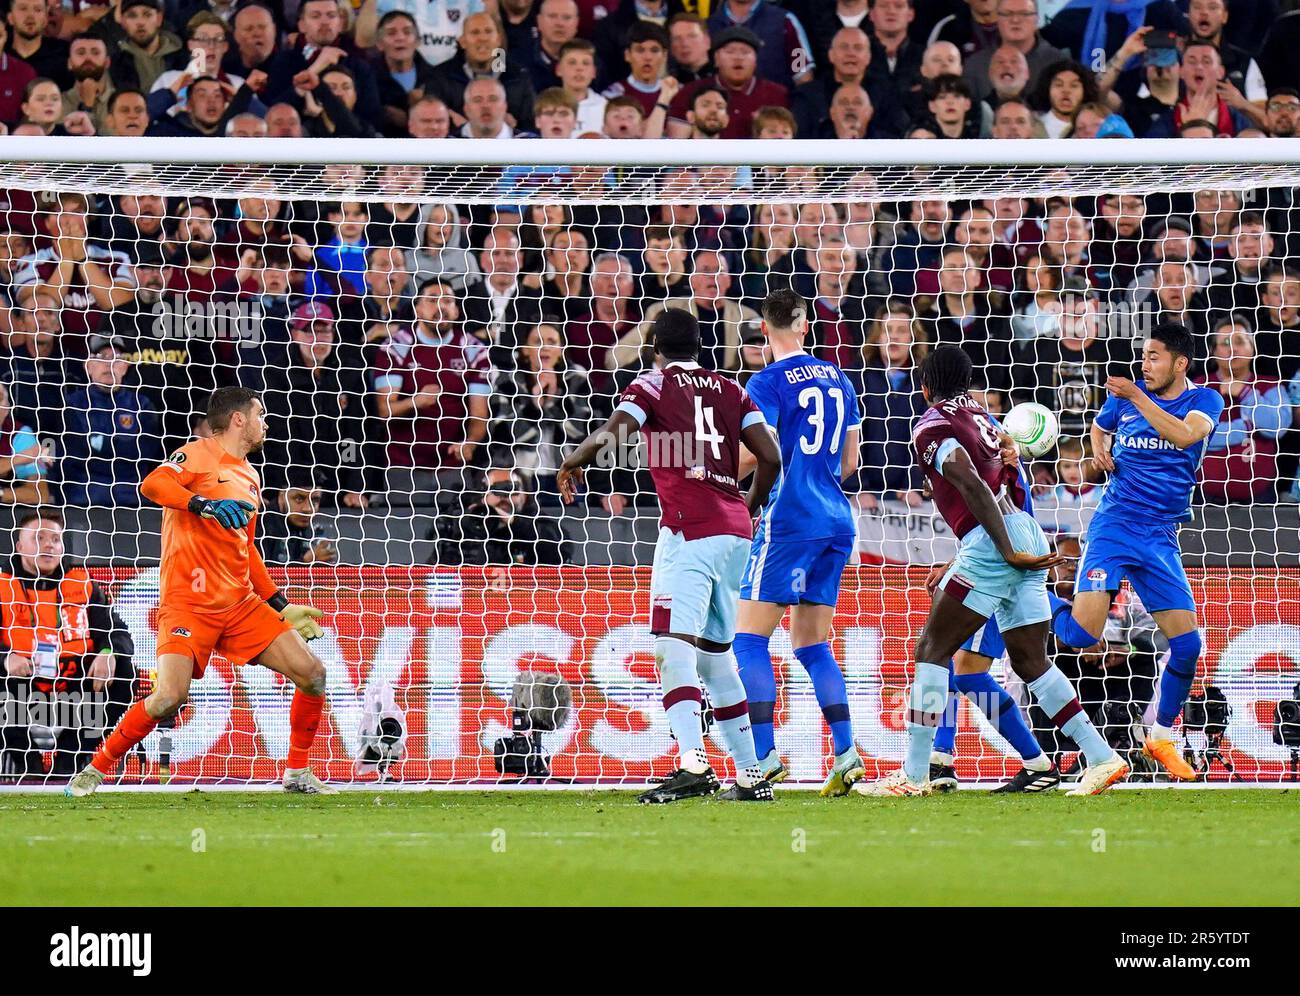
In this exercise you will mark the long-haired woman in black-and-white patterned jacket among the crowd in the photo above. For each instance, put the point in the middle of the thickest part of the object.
(541, 410)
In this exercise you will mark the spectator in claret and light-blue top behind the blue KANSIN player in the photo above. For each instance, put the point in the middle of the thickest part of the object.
(1242, 456)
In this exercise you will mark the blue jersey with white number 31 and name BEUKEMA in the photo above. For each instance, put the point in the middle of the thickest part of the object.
(812, 406)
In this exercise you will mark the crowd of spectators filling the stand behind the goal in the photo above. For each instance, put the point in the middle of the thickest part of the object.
(415, 352)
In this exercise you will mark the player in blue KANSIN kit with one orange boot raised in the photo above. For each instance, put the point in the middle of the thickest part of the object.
(1151, 438)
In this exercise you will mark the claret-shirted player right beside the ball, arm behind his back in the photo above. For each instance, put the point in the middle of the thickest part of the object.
(1000, 571)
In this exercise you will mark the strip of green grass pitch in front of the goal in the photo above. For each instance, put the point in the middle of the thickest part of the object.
(366, 848)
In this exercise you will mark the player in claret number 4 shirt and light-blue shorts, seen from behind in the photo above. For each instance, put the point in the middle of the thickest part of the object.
(695, 421)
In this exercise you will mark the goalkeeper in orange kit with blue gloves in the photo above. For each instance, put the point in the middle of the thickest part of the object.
(216, 594)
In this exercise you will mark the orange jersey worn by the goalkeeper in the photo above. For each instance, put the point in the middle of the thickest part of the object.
(205, 565)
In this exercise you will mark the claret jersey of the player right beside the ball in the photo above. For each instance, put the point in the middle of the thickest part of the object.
(961, 422)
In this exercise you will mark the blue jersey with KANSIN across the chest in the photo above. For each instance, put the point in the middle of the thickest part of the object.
(1152, 477)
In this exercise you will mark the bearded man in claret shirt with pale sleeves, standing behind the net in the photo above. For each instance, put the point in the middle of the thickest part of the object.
(432, 384)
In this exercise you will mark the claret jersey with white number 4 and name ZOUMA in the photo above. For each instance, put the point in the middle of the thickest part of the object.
(692, 421)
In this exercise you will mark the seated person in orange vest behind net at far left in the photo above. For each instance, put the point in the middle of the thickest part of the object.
(60, 638)
